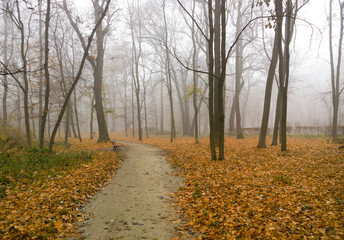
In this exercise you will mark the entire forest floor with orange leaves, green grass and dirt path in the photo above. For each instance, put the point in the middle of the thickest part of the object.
(252, 194)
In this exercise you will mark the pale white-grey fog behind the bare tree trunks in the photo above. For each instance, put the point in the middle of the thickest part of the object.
(136, 49)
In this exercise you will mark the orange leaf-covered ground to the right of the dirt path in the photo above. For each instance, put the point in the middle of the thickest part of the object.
(260, 193)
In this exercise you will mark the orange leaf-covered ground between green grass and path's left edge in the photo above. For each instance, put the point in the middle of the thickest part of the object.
(46, 204)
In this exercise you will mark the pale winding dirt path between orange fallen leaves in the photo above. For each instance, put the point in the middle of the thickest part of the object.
(135, 203)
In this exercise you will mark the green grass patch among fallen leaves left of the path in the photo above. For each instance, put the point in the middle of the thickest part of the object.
(36, 163)
